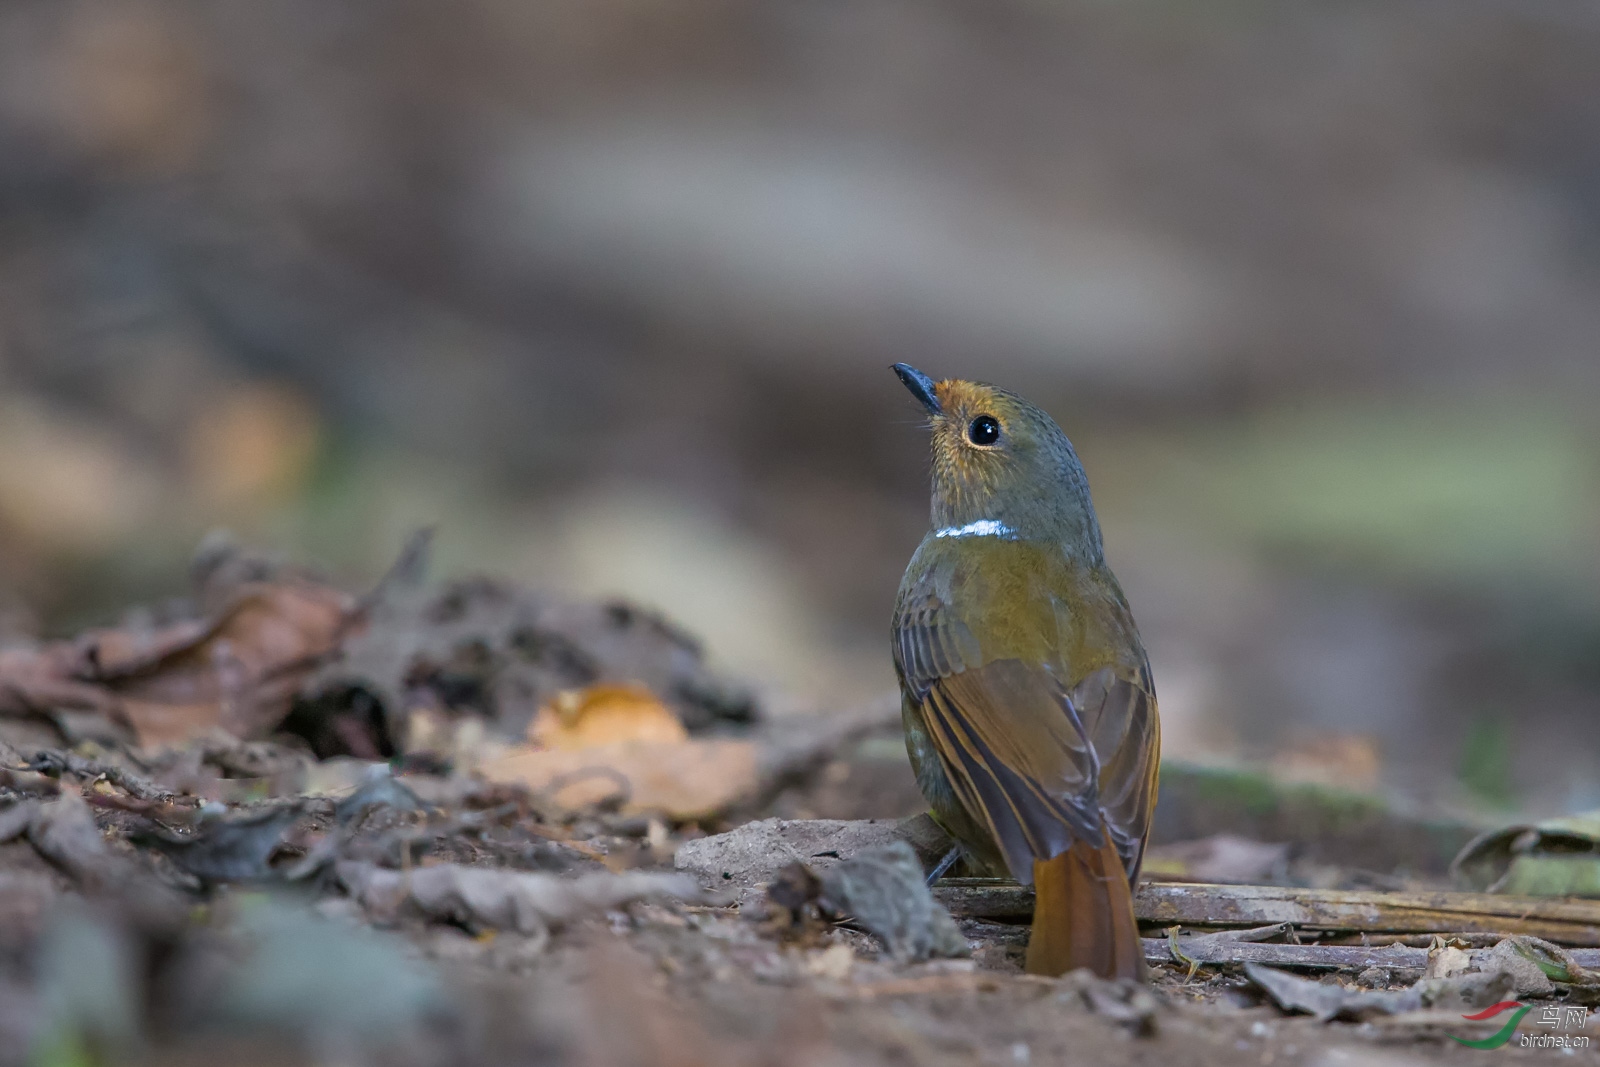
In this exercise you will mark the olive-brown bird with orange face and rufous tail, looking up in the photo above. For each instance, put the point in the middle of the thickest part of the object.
(1028, 701)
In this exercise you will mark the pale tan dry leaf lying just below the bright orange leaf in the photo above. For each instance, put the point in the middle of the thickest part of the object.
(684, 780)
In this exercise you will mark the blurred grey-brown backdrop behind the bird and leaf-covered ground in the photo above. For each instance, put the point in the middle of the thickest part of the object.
(607, 290)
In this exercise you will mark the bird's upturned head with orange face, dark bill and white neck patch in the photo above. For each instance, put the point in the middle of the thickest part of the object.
(1002, 466)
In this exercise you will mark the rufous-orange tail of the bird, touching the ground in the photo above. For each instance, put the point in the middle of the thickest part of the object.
(1084, 916)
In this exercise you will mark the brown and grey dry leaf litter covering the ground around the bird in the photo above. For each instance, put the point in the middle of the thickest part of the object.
(466, 823)
